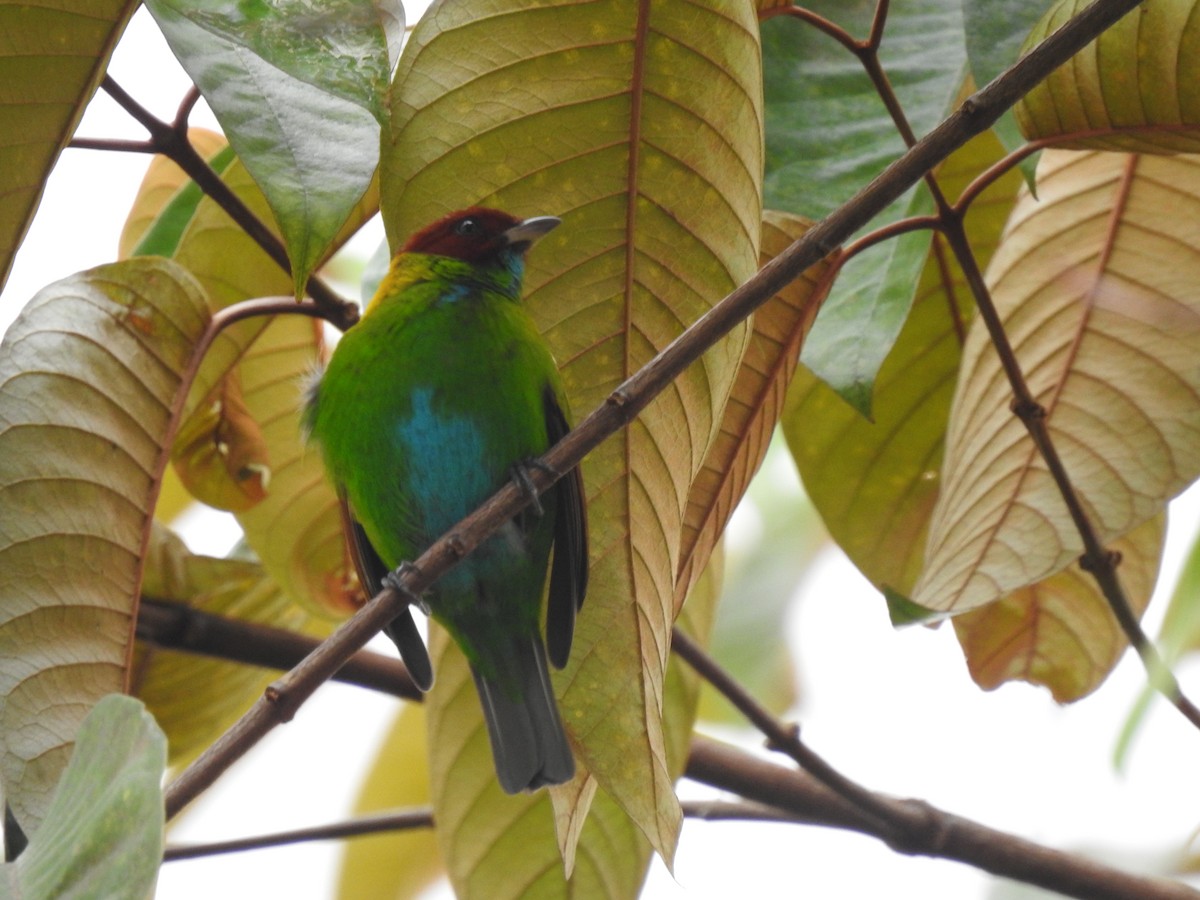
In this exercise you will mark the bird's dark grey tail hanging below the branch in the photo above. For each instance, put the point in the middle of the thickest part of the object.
(529, 743)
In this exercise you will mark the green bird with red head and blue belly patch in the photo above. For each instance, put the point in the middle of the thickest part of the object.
(439, 397)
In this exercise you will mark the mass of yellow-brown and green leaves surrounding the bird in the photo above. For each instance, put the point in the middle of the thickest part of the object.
(685, 146)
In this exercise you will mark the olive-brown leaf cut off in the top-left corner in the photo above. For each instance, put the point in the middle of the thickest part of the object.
(56, 55)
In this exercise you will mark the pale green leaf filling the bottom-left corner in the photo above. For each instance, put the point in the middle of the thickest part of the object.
(104, 831)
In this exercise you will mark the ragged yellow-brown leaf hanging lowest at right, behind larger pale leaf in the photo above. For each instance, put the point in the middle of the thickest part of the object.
(1061, 633)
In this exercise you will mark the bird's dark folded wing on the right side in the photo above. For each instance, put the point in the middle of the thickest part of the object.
(569, 572)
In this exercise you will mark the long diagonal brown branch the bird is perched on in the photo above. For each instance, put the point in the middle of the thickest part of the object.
(975, 116)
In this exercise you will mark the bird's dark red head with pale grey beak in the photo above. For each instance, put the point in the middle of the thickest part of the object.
(481, 236)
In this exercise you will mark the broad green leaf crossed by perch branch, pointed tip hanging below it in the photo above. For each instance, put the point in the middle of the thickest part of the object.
(829, 135)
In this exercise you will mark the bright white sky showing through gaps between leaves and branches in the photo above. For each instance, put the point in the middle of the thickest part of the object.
(896, 711)
